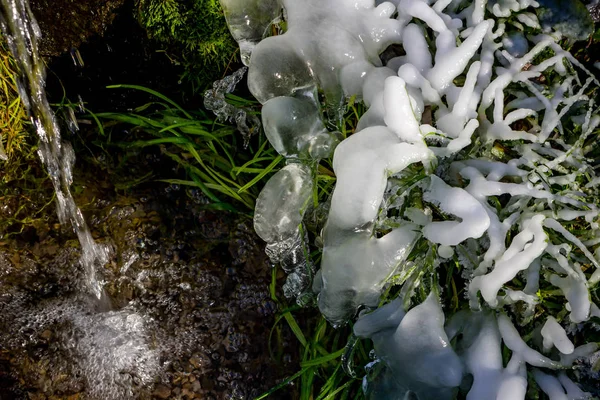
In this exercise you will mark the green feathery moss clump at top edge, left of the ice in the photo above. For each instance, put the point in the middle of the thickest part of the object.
(194, 33)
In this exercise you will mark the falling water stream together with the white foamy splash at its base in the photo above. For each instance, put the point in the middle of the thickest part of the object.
(101, 341)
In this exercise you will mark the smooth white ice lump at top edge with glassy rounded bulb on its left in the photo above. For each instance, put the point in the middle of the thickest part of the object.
(323, 38)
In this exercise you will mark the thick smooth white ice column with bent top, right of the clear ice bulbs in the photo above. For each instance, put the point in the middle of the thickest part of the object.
(355, 265)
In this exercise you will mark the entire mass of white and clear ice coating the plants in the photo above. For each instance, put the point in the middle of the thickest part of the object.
(488, 122)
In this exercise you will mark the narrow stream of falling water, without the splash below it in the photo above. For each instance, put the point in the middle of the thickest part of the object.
(23, 35)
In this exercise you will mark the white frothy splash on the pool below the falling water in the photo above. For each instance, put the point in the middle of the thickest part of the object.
(111, 353)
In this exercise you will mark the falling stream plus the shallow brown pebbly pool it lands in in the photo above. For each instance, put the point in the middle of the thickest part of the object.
(171, 301)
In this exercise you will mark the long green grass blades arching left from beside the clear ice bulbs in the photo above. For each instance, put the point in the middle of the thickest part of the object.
(212, 154)
